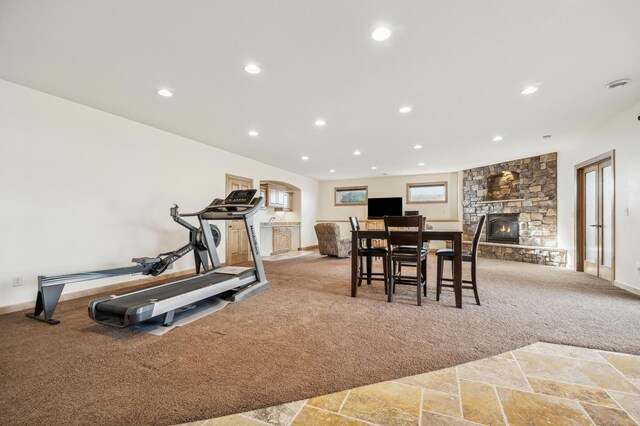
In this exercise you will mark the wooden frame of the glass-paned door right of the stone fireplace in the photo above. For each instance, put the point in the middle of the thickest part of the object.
(580, 224)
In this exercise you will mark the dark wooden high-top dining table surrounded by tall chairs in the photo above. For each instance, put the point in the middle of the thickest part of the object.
(427, 235)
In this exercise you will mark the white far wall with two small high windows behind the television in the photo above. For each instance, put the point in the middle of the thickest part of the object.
(393, 186)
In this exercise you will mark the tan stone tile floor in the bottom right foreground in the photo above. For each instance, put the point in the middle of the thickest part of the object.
(539, 384)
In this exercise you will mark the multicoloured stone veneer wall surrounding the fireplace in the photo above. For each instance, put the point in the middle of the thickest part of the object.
(527, 186)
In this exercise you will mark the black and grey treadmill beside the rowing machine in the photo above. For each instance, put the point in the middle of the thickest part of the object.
(237, 283)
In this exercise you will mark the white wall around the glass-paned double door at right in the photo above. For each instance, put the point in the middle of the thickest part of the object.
(622, 134)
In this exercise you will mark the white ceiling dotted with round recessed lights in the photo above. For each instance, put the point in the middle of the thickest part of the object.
(460, 64)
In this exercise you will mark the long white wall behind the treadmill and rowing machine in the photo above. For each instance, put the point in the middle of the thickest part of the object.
(83, 190)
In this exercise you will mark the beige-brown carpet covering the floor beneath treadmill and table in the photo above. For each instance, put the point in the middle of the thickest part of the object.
(302, 338)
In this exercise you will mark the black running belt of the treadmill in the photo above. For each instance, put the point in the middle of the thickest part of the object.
(120, 304)
